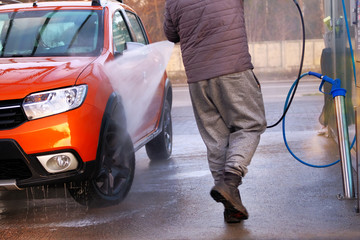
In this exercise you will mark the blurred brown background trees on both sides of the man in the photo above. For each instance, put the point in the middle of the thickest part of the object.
(266, 20)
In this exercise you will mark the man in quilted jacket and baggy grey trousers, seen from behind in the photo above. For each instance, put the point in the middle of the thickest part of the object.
(225, 94)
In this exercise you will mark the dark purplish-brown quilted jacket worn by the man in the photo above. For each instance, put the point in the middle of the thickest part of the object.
(212, 36)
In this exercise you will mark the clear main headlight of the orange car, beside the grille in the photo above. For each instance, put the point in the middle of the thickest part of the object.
(52, 102)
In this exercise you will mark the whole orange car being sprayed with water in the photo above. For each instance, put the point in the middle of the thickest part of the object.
(60, 118)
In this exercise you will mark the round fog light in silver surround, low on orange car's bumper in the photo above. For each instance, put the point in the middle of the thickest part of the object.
(60, 162)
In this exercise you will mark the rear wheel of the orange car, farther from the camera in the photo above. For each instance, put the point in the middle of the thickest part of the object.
(160, 148)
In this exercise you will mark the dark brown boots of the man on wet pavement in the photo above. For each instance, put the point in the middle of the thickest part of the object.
(228, 194)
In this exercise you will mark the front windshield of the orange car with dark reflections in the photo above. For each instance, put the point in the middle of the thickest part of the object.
(50, 33)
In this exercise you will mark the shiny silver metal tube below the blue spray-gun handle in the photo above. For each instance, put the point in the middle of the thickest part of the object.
(344, 148)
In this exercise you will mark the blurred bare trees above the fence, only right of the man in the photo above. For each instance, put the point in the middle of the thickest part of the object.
(276, 20)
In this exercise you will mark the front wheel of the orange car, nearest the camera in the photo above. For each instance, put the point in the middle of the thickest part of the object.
(116, 158)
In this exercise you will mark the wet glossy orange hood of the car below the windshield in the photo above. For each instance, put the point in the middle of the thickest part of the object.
(22, 76)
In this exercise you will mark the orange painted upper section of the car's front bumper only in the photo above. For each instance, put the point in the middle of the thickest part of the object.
(77, 129)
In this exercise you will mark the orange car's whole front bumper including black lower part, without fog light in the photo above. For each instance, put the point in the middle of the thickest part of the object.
(76, 132)
